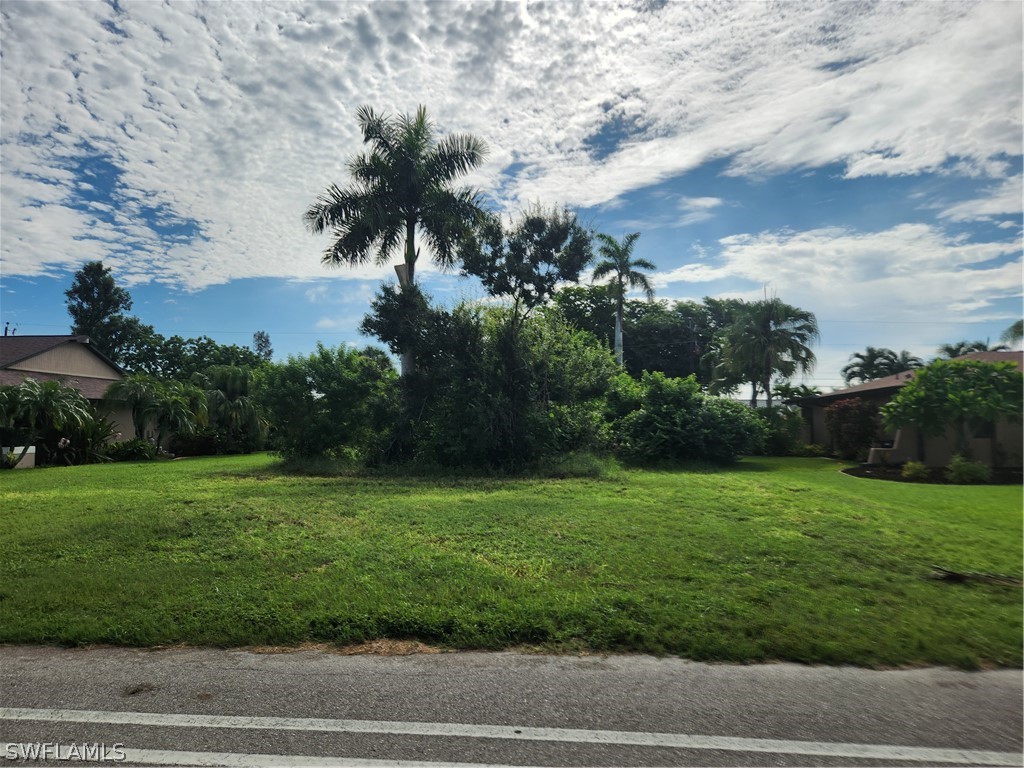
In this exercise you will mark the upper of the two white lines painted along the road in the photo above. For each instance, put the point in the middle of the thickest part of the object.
(514, 734)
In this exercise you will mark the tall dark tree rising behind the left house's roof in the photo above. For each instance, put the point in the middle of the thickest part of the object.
(97, 306)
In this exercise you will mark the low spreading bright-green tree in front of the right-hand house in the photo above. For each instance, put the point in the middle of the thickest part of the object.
(958, 394)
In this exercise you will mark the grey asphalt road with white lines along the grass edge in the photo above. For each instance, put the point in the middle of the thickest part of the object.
(203, 707)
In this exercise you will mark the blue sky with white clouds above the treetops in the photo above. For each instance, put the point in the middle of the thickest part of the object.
(859, 160)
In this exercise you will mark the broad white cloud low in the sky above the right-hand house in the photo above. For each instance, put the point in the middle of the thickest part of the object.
(912, 273)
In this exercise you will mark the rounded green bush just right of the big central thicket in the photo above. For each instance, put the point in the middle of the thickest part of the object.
(660, 418)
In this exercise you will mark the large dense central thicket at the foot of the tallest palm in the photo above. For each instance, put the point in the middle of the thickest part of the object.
(494, 388)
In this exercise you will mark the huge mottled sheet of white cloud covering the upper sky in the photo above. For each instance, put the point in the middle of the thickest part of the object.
(237, 116)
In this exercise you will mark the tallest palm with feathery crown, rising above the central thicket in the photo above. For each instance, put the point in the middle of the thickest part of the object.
(401, 187)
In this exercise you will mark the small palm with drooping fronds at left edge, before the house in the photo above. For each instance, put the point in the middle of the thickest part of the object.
(32, 410)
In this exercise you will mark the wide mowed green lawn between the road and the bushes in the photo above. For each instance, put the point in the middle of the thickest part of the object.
(771, 560)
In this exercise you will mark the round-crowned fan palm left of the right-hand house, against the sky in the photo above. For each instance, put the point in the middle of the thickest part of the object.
(770, 338)
